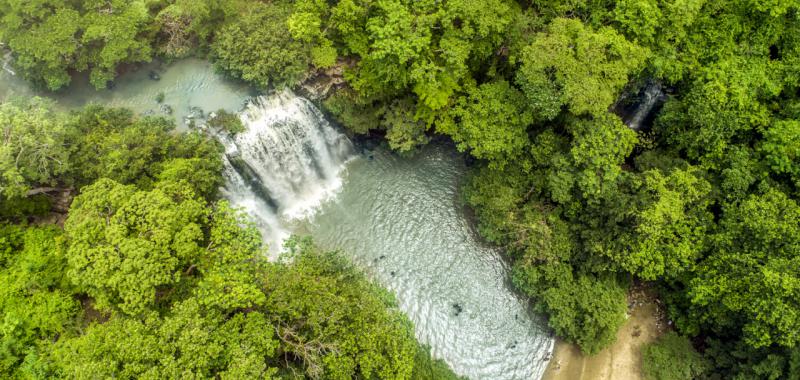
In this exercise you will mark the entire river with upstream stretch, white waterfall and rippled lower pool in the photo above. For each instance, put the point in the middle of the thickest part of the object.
(400, 219)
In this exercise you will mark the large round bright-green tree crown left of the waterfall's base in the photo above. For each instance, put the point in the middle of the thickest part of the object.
(125, 244)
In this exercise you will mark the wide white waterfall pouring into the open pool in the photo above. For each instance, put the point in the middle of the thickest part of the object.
(285, 164)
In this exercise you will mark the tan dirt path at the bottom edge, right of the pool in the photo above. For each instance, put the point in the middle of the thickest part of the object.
(621, 361)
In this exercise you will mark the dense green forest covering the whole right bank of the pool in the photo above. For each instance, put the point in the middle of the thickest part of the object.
(703, 204)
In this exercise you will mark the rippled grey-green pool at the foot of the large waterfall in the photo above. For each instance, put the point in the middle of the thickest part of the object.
(401, 219)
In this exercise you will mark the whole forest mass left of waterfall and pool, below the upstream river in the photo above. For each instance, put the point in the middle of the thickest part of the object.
(152, 276)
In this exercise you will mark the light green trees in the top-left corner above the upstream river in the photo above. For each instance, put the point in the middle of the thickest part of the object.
(50, 38)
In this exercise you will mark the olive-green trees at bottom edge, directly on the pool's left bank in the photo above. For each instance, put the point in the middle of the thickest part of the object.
(338, 324)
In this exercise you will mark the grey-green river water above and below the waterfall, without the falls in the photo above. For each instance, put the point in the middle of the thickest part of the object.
(398, 218)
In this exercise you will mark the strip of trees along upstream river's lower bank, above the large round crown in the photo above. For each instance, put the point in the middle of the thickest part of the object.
(43, 150)
